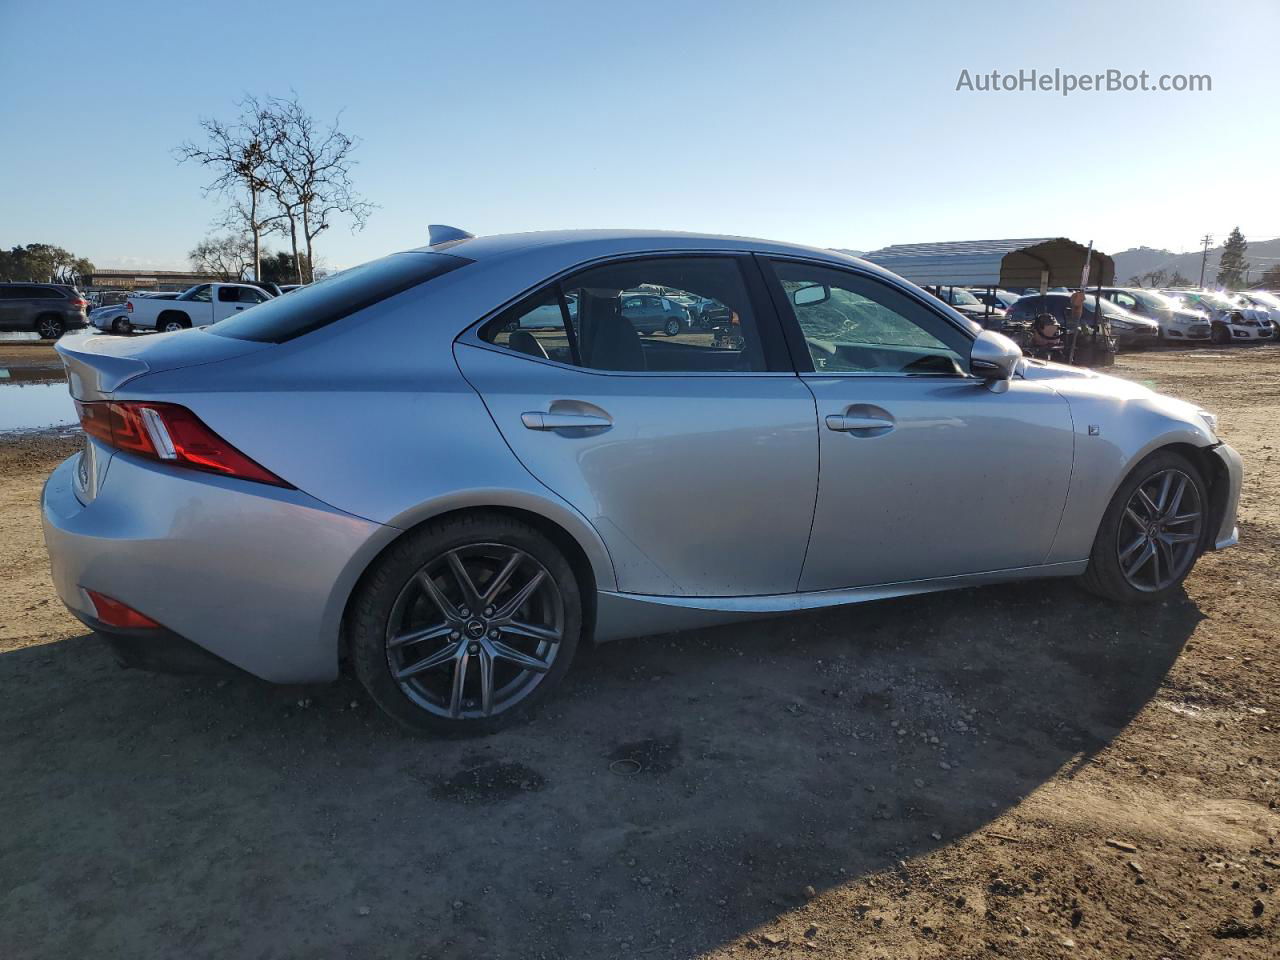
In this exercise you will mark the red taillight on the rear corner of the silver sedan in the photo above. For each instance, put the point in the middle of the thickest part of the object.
(171, 435)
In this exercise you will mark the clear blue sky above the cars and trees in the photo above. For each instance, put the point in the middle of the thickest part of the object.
(822, 122)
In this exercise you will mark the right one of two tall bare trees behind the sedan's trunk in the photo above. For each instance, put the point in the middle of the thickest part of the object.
(310, 172)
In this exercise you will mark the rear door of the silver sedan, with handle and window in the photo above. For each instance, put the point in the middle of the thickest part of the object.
(697, 464)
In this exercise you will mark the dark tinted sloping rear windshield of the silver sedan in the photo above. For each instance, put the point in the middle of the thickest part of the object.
(335, 298)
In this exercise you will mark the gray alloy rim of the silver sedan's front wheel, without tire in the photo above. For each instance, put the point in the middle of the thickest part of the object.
(1160, 532)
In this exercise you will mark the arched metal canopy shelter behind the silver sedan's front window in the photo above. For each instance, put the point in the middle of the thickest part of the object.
(1009, 263)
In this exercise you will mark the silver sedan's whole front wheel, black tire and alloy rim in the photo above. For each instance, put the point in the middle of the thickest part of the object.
(1153, 532)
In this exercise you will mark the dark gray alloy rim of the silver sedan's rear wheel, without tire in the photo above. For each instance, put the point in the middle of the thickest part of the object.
(476, 632)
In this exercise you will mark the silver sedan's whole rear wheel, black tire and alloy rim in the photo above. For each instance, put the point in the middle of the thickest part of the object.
(465, 624)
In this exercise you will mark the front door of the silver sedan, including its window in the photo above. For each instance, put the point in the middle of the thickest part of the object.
(926, 473)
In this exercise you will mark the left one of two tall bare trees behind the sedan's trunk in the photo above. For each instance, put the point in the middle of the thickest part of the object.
(240, 154)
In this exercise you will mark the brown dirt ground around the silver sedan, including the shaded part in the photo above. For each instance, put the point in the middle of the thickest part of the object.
(1020, 771)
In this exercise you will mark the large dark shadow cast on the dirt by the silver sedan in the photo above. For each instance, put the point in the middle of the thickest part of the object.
(682, 792)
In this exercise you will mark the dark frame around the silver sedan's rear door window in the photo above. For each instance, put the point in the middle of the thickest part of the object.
(778, 359)
